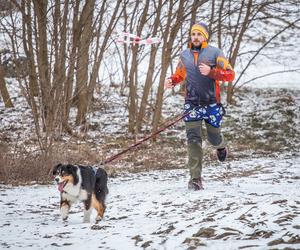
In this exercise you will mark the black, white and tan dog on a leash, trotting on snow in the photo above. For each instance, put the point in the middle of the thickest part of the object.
(81, 183)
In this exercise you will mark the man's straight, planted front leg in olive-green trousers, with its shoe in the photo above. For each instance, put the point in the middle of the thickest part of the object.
(194, 141)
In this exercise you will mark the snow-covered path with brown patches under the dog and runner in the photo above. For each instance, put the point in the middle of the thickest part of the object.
(253, 205)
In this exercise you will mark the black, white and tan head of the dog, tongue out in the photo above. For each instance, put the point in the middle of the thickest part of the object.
(65, 174)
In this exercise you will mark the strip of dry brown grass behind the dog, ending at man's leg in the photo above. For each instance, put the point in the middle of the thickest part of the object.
(23, 167)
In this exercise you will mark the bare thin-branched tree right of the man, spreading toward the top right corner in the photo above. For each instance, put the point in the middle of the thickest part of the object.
(238, 18)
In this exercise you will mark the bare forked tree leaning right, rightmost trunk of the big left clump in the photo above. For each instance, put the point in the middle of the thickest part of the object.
(86, 82)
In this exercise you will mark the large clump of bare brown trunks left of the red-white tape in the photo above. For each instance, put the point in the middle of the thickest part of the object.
(57, 38)
